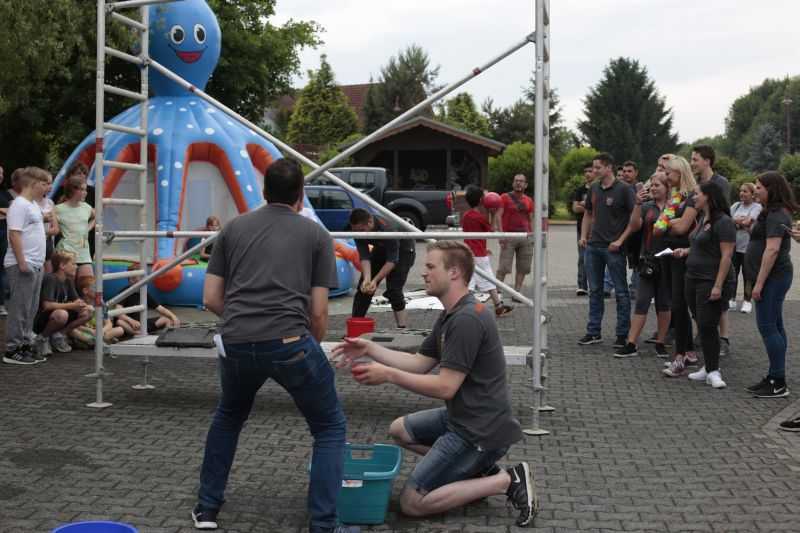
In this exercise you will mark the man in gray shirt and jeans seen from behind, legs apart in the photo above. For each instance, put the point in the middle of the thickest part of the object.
(271, 291)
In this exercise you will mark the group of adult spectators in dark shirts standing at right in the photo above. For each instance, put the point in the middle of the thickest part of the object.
(687, 247)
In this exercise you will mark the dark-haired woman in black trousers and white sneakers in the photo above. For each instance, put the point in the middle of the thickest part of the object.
(709, 277)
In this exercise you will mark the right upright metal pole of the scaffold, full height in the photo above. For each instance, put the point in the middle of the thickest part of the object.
(540, 205)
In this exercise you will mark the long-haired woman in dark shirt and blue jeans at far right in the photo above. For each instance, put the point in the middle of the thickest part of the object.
(769, 267)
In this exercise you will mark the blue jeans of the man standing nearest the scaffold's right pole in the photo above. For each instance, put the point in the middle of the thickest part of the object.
(597, 259)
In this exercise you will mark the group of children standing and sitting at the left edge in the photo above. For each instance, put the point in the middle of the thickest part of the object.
(51, 282)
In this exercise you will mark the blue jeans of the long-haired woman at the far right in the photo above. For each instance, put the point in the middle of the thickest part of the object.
(769, 318)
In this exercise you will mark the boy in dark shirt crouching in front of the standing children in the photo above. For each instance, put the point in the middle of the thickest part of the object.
(60, 308)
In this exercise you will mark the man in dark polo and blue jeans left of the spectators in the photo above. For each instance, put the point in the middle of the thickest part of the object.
(609, 219)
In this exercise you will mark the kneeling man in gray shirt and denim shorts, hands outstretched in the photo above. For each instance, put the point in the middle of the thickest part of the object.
(461, 442)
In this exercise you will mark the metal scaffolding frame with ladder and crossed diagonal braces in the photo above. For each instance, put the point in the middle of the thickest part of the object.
(540, 37)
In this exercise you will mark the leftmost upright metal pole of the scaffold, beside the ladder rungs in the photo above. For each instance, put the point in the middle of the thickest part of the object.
(99, 311)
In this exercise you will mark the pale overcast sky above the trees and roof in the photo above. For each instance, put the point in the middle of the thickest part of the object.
(702, 54)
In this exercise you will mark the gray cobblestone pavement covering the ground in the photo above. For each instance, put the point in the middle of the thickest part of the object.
(628, 449)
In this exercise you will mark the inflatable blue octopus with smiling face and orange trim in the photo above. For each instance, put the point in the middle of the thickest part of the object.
(182, 128)
